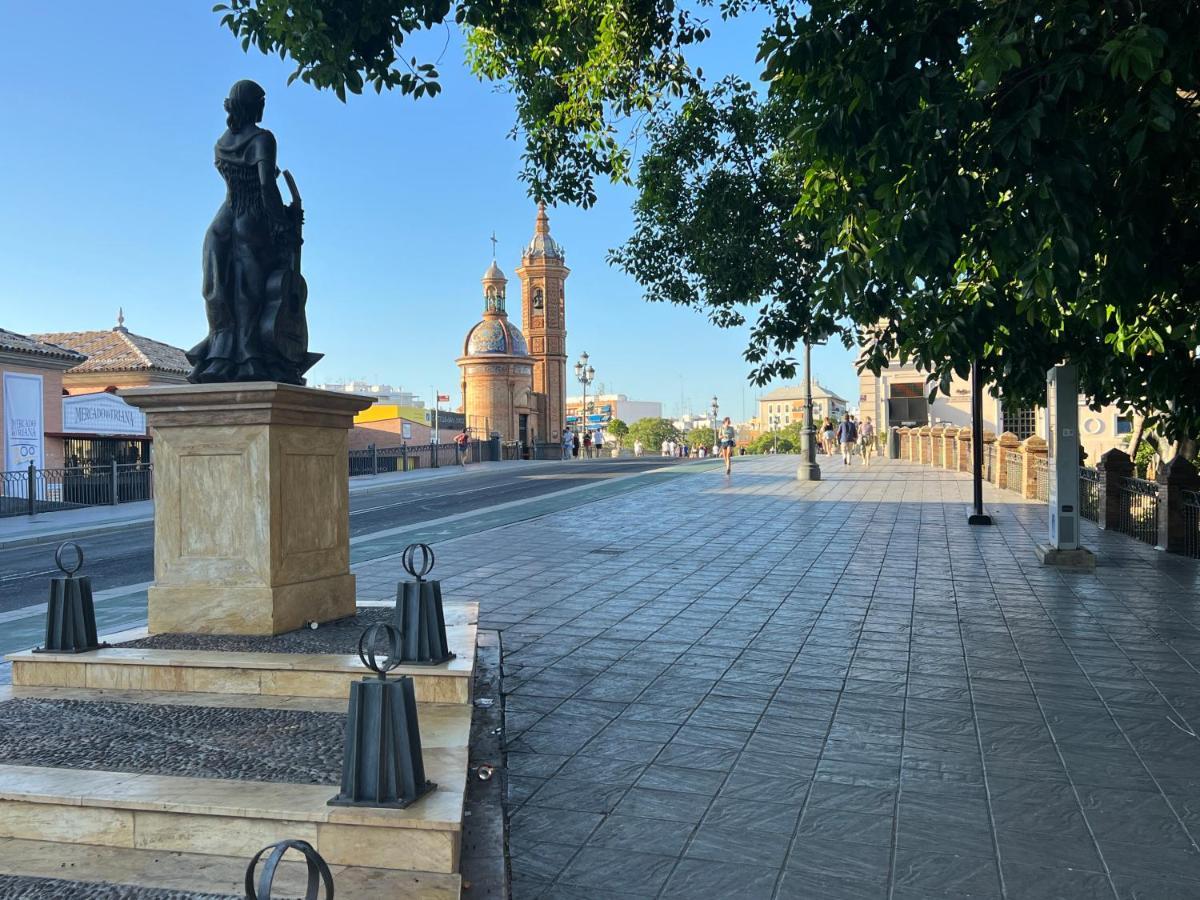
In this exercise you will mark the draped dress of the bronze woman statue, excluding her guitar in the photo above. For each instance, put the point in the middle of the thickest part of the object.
(239, 256)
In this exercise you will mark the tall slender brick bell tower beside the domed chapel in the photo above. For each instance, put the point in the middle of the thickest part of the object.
(543, 273)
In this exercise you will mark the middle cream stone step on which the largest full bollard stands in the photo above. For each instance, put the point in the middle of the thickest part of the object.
(229, 818)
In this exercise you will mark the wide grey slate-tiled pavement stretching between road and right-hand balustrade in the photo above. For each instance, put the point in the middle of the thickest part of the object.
(760, 688)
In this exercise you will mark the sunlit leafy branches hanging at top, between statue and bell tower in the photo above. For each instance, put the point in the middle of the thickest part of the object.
(578, 70)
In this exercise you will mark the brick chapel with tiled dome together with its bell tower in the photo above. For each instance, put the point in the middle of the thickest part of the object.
(514, 381)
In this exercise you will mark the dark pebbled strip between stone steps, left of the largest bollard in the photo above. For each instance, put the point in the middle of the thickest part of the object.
(289, 746)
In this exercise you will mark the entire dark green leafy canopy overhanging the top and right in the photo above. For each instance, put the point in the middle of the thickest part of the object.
(938, 181)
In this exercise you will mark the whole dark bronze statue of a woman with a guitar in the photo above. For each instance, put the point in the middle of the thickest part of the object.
(254, 293)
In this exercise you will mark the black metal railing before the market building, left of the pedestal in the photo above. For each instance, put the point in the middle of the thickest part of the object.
(31, 491)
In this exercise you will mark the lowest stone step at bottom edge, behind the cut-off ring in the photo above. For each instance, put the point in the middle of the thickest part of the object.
(170, 871)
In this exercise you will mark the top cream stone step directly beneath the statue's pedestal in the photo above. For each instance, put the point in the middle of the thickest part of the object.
(293, 675)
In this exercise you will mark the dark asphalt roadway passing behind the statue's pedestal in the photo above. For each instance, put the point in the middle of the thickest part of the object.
(127, 556)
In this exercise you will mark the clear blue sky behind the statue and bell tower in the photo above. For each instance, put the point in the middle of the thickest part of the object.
(107, 179)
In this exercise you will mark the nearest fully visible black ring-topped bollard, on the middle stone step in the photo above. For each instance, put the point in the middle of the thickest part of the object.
(382, 764)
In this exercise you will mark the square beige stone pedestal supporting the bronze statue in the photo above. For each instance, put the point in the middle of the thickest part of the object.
(251, 507)
